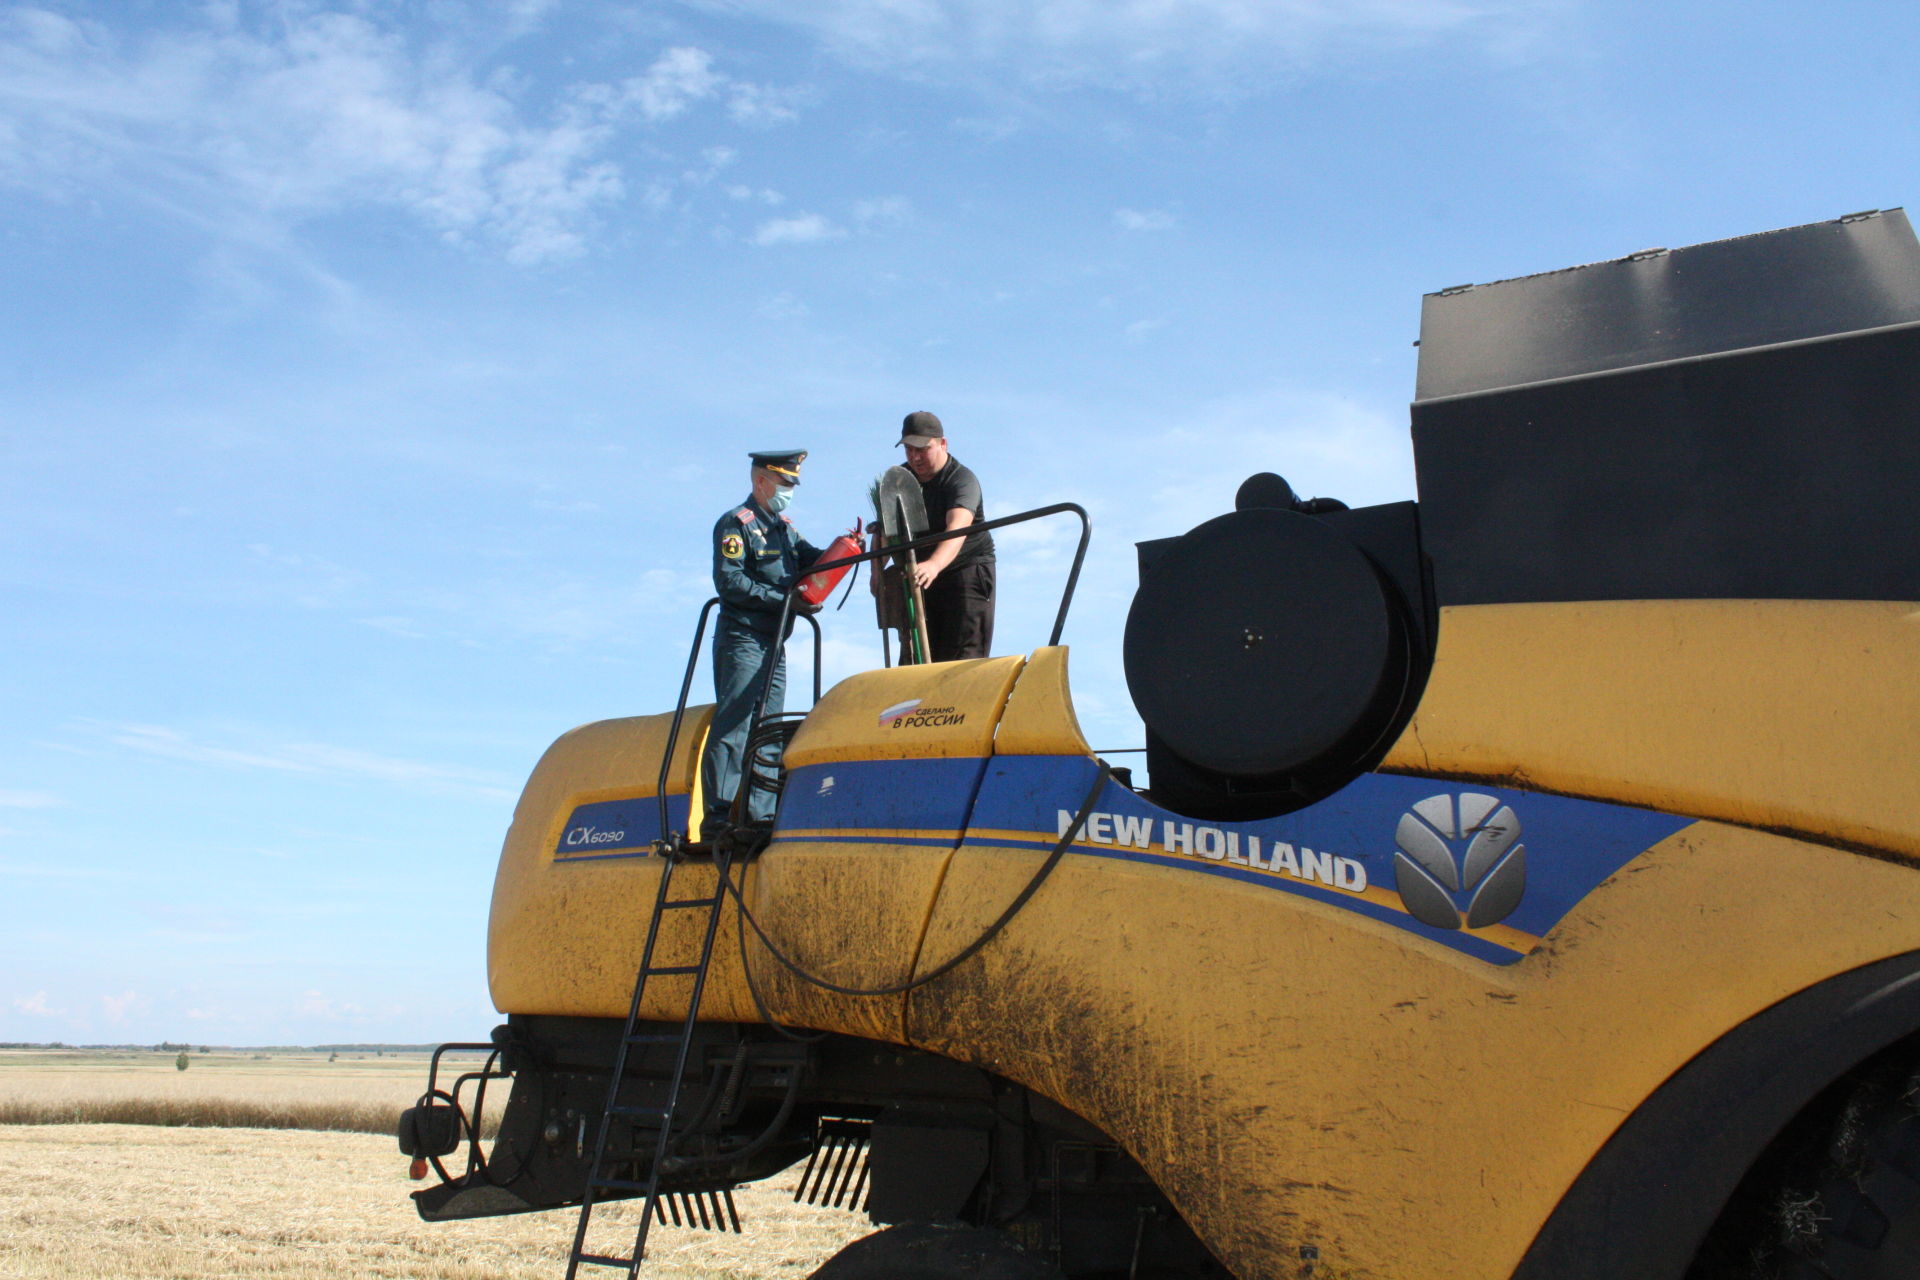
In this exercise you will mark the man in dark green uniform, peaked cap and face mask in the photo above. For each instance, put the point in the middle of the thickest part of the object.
(757, 556)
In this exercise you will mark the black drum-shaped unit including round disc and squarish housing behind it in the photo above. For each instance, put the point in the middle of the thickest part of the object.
(1272, 657)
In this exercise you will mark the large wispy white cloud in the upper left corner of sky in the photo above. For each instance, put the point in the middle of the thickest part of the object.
(262, 120)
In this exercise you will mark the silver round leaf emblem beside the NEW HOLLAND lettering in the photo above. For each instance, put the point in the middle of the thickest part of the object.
(1460, 857)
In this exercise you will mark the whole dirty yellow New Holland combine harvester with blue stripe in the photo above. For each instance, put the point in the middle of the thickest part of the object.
(1527, 884)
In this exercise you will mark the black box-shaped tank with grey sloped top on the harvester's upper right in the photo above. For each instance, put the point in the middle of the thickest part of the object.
(1725, 421)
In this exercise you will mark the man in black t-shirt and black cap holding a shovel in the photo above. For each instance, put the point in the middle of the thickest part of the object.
(957, 575)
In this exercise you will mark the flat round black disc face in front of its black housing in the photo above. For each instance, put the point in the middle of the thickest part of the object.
(1260, 644)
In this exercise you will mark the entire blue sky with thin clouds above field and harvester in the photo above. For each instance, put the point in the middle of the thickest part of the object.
(373, 373)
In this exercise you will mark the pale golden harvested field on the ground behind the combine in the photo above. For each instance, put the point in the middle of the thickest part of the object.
(156, 1202)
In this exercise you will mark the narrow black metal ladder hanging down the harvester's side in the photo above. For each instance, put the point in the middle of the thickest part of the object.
(650, 1187)
